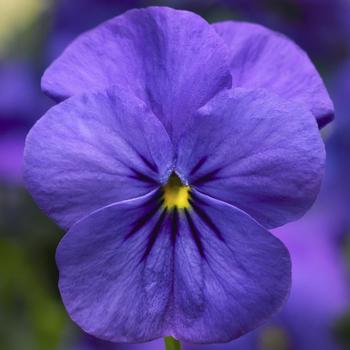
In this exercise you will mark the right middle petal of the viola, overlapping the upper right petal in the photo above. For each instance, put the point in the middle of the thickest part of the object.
(255, 151)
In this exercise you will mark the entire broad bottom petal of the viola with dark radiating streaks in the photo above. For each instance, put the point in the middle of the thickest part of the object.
(132, 272)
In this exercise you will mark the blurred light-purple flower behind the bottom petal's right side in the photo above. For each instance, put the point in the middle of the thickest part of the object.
(319, 294)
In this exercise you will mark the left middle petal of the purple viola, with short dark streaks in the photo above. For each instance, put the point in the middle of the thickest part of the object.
(93, 150)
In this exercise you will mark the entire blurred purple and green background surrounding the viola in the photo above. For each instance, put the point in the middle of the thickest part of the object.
(32, 317)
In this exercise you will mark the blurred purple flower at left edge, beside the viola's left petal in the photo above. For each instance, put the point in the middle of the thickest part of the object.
(21, 103)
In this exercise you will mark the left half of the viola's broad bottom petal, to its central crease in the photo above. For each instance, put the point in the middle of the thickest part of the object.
(116, 271)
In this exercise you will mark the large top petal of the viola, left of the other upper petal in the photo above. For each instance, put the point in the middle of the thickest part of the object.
(172, 59)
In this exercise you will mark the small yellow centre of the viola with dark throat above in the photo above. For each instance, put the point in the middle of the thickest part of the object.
(176, 194)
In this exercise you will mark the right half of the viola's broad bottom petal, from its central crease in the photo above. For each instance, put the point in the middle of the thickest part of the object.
(231, 274)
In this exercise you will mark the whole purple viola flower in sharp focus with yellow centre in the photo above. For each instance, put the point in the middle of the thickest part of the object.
(167, 177)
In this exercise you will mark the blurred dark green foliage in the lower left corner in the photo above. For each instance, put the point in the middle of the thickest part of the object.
(32, 315)
